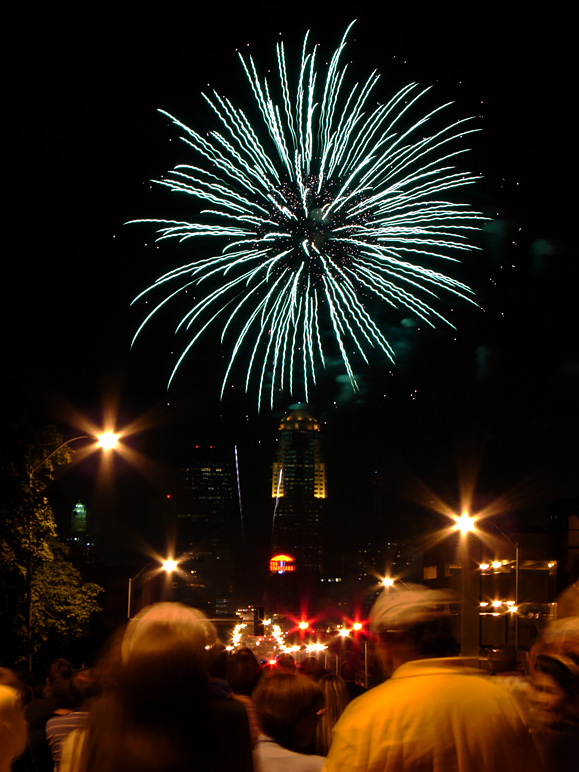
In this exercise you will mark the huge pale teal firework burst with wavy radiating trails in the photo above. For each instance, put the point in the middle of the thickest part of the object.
(335, 204)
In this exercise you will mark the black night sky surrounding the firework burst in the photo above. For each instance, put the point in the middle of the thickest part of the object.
(498, 394)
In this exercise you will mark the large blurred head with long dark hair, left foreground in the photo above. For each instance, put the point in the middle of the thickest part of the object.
(157, 718)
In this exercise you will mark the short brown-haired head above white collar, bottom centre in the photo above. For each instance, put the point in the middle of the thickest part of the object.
(288, 707)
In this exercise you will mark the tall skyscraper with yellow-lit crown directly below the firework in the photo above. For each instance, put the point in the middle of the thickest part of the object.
(298, 490)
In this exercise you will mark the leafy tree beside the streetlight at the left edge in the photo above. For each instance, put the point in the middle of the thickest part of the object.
(29, 548)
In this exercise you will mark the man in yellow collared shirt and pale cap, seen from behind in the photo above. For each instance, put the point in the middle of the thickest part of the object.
(434, 714)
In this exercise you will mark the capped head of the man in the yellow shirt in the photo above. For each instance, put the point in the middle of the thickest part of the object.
(412, 622)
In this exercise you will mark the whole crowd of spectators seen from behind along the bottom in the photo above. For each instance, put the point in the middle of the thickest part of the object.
(166, 696)
